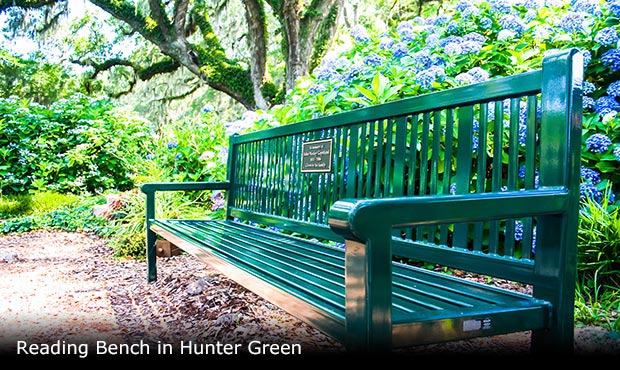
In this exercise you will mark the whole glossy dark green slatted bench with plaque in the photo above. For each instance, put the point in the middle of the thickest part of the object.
(482, 178)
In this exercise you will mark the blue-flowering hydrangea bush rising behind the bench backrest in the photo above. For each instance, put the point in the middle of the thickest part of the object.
(471, 42)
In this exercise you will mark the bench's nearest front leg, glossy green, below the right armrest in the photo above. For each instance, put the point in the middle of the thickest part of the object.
(368, 303)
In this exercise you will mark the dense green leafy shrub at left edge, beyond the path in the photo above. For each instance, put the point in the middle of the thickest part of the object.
(77, 145)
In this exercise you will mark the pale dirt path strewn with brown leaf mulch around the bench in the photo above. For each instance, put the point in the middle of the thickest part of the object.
(65, 288)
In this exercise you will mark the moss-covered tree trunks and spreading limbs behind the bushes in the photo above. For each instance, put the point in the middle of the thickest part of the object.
(183, 33)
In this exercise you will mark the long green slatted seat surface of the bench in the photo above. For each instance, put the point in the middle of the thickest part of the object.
(314, 273)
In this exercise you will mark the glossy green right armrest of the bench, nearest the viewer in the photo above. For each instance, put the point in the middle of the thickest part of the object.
(359, 219)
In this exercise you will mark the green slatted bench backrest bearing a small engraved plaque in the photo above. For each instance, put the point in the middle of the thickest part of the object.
(518, 132)
